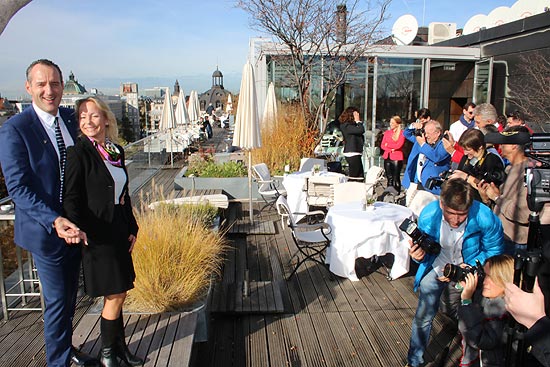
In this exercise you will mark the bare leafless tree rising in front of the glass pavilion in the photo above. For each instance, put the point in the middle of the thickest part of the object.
(327, 34)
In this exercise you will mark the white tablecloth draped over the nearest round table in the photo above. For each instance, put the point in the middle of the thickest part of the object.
(375, 231)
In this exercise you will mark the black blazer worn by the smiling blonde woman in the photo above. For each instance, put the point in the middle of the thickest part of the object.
(89, 191)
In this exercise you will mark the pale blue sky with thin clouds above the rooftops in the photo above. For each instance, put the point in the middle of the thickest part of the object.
(155, 42)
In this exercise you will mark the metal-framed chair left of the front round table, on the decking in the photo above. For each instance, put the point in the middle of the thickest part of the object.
(310, 239)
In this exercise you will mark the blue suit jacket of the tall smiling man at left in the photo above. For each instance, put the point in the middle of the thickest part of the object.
(31, 170)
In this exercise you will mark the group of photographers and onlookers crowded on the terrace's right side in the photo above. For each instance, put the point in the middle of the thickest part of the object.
(475, 171)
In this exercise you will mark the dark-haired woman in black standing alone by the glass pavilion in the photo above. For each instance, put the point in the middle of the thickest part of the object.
(353, 130)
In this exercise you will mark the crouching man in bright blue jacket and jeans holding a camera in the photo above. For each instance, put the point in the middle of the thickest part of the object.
(467, 231)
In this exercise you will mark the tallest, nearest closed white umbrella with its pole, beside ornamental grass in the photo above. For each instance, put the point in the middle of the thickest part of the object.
(247, 125)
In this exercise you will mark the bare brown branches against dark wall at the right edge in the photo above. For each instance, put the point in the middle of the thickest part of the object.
(530, 90)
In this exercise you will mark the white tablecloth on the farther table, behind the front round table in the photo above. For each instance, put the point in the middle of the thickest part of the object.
(295, 185)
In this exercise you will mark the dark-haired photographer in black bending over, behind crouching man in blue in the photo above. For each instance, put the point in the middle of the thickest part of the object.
(478, 165)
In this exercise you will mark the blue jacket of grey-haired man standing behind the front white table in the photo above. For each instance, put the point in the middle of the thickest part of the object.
(437, 161)
